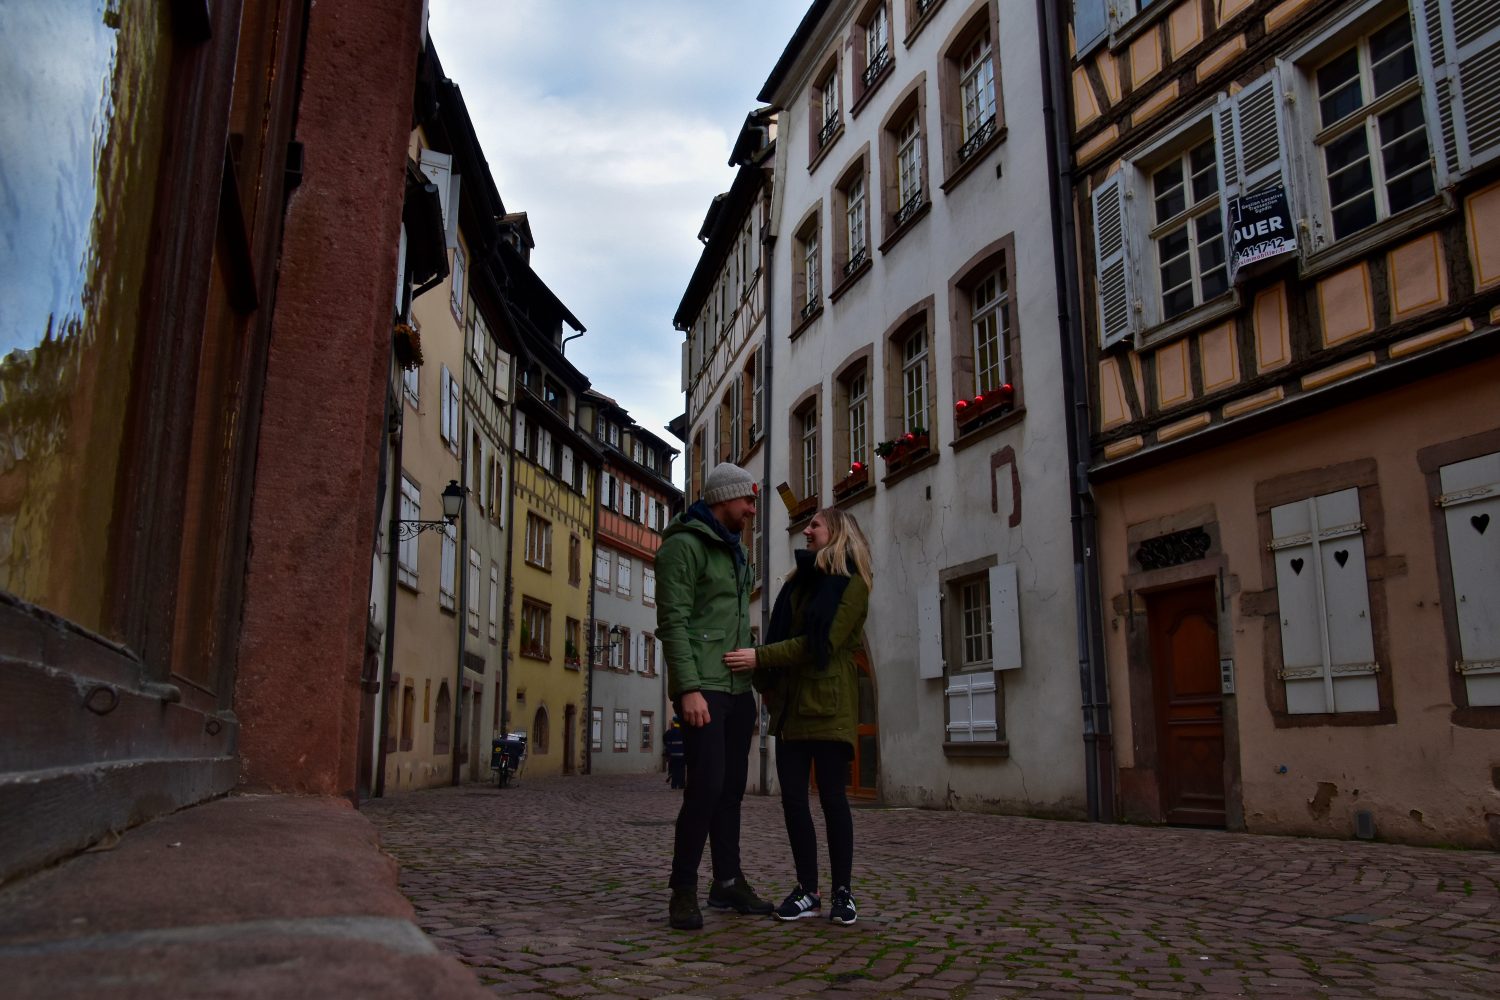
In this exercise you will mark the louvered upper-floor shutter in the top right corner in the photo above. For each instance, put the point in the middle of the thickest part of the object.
(1463, 47)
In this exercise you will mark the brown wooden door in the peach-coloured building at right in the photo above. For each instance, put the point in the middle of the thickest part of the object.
(1190, 704)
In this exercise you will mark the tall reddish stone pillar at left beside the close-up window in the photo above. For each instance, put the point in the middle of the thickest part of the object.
(314, 513)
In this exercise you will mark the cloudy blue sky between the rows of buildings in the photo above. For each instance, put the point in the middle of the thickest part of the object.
(610, 124)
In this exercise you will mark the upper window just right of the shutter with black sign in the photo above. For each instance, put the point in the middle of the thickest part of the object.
(1372, 136)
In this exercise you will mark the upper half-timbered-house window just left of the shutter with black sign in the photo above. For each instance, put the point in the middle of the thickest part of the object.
(1189, 230)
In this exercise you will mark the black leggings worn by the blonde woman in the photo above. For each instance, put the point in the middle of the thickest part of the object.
(794, 762)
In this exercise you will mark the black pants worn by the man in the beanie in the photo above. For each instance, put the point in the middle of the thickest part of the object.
(718, 765)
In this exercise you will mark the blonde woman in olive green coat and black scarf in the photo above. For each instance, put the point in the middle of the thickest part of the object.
(812, 686)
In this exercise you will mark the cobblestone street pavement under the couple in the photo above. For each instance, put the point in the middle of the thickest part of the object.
(557, 888)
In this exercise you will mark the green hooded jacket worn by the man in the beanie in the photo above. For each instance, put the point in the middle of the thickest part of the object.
(703, 606)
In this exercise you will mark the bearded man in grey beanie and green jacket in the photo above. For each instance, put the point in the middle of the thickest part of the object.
(704, 612)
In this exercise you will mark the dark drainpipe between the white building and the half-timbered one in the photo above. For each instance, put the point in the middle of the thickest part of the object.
(1093, 674)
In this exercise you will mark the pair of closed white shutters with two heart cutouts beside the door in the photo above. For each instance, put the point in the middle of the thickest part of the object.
(1328, 660)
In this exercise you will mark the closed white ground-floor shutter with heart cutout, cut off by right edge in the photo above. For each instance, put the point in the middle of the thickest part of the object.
(1472, 509)
